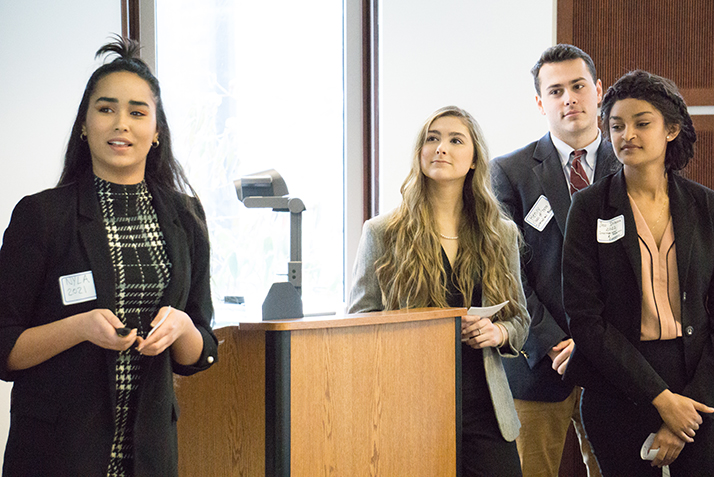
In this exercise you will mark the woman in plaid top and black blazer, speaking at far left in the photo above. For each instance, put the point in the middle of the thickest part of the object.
(104, 291)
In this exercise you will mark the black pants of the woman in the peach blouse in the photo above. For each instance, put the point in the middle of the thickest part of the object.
(617, 428)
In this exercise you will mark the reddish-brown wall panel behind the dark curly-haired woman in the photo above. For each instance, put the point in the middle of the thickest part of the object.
(671, 39)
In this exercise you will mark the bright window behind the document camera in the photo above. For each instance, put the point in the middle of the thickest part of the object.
(250, 86)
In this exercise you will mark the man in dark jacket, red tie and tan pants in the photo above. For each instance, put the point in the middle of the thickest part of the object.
(535, 184)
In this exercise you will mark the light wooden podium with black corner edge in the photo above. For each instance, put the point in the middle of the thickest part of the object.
(373, 394)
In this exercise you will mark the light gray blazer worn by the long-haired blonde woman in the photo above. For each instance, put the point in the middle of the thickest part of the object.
(366, 296)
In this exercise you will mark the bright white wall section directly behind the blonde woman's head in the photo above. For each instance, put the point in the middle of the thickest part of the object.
(475, 54)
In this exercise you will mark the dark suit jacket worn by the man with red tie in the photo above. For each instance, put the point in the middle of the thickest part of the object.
(519, 179)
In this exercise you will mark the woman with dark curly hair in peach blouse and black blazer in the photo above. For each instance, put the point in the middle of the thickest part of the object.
(638, 289)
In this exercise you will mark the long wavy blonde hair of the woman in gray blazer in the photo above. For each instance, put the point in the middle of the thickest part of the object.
(411, 273)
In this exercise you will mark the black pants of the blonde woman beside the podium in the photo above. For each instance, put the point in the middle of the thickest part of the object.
(484, 451)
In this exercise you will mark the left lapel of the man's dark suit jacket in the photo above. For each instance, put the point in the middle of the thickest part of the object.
(550, 174)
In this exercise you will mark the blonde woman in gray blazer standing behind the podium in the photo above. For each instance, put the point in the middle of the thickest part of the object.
(449, 244)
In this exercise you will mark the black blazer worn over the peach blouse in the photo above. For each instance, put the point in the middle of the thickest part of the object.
(602, 291)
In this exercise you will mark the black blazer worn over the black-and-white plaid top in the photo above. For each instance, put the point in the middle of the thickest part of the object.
(62, 410)
